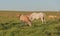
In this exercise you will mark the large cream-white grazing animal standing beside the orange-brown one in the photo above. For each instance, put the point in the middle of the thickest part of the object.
(36, 16)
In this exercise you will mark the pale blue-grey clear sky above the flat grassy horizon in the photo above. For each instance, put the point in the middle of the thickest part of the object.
(30, 5)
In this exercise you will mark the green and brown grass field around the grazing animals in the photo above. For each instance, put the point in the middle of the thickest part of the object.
(10, 25)
